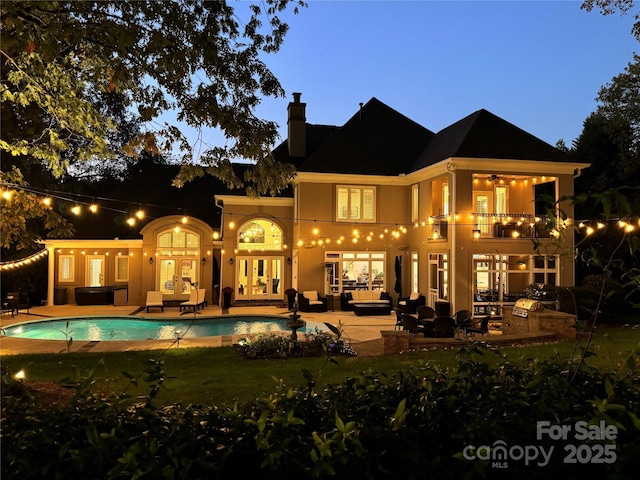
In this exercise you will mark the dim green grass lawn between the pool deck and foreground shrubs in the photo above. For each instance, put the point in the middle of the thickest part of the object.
(220, 376)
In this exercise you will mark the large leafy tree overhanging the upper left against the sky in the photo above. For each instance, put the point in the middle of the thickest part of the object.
(192, 57)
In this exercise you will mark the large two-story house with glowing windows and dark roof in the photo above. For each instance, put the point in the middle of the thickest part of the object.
(380, 203)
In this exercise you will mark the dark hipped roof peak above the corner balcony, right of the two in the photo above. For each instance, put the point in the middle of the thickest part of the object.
(485, 135)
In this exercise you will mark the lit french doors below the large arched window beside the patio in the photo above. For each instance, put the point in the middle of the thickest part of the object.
(259, 278)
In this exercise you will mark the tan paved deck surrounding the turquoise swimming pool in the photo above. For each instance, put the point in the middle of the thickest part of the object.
(359, 331)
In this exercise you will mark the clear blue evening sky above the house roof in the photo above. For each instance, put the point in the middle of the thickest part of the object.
(537, 64)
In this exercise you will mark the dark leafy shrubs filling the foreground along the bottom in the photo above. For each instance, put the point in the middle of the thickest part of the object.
(415, 425)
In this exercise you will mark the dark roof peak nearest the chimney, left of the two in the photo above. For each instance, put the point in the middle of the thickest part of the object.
(377, 140)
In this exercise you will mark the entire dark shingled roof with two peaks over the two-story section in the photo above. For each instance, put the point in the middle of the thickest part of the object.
(380, 141)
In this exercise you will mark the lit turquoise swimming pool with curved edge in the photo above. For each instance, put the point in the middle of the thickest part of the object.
(105, 328)
